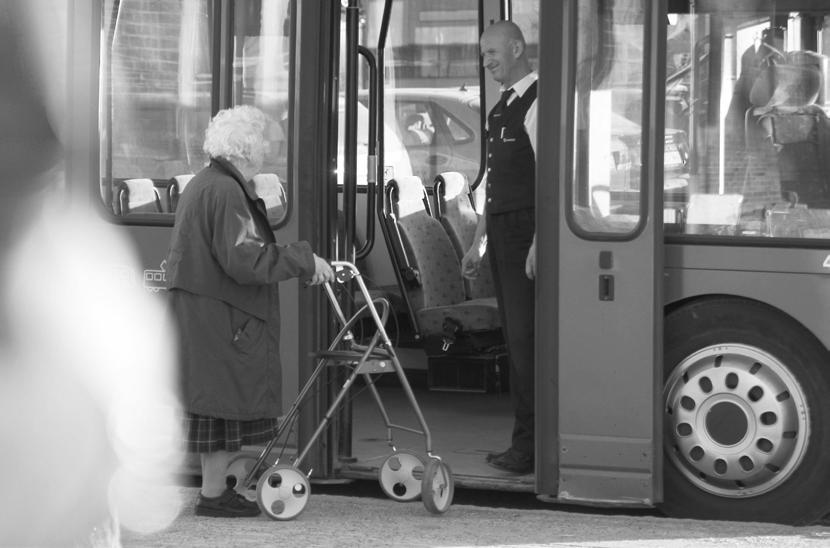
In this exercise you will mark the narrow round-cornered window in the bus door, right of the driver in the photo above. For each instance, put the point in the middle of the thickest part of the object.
(608, 117)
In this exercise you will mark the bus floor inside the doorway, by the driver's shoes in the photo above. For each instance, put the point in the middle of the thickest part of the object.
(464, 427)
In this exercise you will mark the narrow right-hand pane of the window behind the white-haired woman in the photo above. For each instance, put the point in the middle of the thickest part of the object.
(261, 78)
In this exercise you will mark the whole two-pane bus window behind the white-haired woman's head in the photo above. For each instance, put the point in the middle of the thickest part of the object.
(157, 83)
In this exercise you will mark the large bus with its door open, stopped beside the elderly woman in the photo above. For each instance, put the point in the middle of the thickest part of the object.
(683, 220)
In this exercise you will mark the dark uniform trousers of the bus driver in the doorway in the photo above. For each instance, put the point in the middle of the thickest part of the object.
(509, 237)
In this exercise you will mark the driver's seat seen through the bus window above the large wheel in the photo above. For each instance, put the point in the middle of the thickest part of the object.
(797, 129)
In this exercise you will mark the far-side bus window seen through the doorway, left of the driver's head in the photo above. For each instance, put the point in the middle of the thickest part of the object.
(432, 79)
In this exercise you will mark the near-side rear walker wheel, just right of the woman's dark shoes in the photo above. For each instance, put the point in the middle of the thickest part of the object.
(282, 492)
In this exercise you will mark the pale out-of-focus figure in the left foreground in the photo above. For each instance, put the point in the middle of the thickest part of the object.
(88, 415)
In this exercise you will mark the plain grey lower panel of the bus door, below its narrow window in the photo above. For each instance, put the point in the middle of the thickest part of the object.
(606, 417)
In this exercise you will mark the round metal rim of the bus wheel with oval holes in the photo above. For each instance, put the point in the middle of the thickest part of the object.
(736, 420)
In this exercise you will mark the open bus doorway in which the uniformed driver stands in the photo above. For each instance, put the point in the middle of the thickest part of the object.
(430, 110)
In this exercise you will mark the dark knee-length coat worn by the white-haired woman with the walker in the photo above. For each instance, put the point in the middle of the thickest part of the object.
(223, 268)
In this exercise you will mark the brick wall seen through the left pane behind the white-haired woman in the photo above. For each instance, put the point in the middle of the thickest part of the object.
(152, 134)
